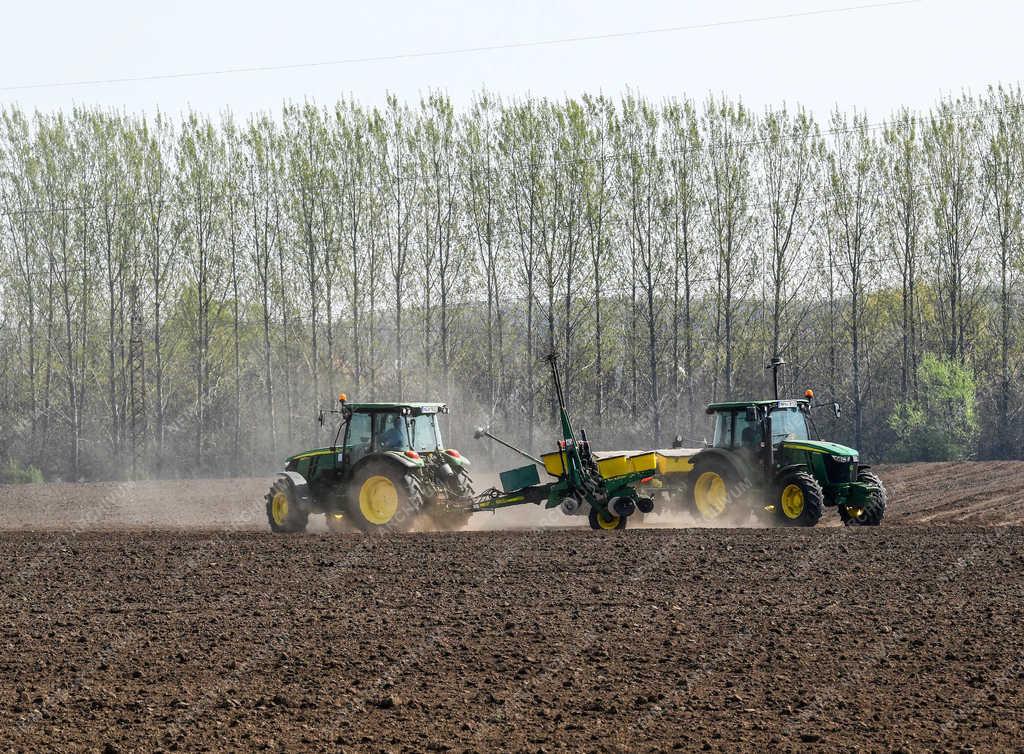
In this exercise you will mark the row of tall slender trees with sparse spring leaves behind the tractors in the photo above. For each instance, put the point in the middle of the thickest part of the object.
(182, 296)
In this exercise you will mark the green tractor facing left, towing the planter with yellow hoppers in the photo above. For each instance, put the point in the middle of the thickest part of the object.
(390, 470)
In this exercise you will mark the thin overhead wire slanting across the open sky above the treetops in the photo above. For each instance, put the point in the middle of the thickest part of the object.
(462, 51)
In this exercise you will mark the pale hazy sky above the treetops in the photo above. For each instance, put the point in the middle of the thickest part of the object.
(873, 59)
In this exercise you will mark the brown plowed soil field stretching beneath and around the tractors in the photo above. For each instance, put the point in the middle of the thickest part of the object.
(164, 617)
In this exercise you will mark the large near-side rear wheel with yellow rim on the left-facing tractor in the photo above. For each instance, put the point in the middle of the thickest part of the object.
(385, 497)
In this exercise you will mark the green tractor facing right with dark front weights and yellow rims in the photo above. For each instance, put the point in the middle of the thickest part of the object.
(764, 457)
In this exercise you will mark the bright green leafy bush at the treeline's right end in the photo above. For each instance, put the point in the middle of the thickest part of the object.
(943, 424)
